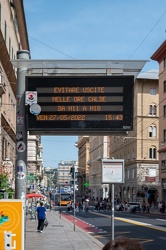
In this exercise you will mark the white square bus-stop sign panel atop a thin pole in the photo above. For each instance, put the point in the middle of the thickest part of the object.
(112, 171)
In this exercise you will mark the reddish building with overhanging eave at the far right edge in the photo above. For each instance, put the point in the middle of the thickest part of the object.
(160, 57)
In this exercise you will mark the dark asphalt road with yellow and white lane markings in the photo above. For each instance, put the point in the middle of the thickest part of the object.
(150, 230)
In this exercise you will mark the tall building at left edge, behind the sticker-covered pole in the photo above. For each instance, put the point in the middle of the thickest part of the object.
(13, 37)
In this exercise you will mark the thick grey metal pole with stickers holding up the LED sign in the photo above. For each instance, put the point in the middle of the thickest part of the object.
(21, 131)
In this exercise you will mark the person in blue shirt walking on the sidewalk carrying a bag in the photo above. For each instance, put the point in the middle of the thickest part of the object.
(41, 216)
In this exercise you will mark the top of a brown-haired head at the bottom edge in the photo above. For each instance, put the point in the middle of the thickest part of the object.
(123, 243)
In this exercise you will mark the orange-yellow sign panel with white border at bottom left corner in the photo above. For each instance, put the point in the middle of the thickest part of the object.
(11, 224)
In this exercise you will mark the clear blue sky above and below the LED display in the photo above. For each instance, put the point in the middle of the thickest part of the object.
(92, 29)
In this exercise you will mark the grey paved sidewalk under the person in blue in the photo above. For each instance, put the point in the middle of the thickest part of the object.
(59, 234)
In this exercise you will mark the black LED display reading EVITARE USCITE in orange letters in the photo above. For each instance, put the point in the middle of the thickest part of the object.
(86, 104)
